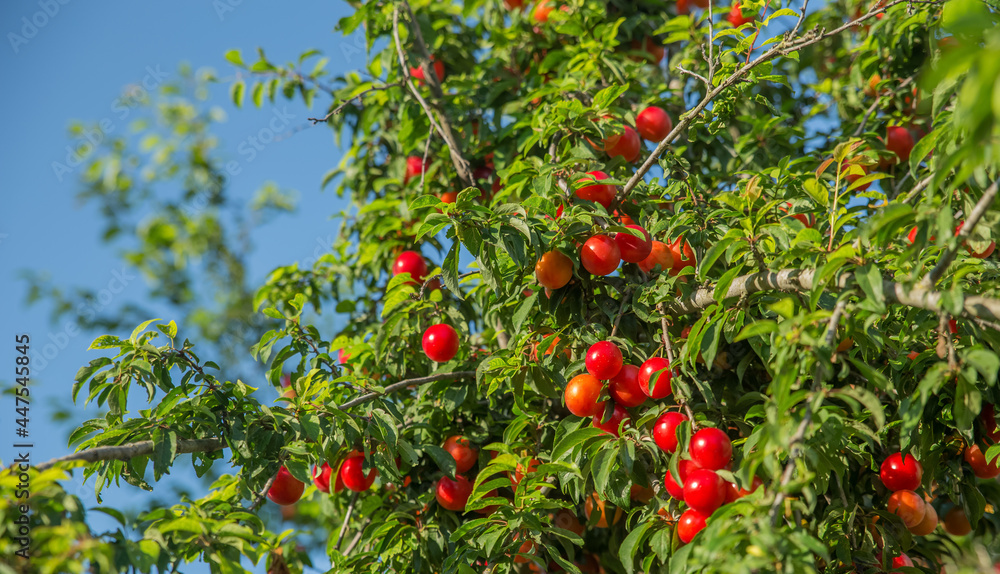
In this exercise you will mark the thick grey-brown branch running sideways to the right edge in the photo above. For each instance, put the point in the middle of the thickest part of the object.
(797, 281)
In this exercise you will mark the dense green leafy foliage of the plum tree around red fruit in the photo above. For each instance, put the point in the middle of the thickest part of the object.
(802, 328)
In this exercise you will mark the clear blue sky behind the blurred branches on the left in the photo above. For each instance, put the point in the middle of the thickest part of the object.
(74, 65)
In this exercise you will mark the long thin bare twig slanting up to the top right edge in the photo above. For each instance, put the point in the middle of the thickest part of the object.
(782, 49)
